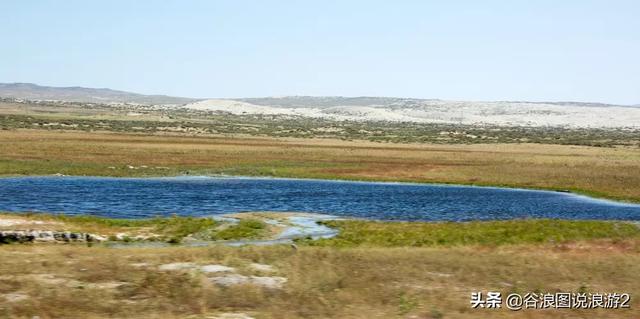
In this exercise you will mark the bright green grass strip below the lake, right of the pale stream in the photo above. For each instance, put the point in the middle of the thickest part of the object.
(355, 233)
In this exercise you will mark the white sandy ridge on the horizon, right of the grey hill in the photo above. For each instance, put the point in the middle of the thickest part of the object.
(452, 112)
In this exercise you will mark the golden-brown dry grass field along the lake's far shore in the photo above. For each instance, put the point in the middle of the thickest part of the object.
(605, 172)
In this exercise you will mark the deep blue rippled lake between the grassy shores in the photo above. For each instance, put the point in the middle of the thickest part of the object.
(198, 196)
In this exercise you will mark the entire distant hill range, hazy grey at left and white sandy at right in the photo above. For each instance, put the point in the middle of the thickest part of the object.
(364, 109)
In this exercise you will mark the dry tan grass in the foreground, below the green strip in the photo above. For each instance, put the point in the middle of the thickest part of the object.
(322, 282)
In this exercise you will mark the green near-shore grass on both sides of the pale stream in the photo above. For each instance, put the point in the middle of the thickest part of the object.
(359, 233)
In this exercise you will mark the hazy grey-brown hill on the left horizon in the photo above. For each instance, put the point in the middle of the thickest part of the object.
(31, 91)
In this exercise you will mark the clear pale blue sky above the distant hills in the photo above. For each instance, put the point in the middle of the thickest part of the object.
(473, 50)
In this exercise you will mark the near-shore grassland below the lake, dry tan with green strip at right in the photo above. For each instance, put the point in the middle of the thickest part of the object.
(372, 270)
